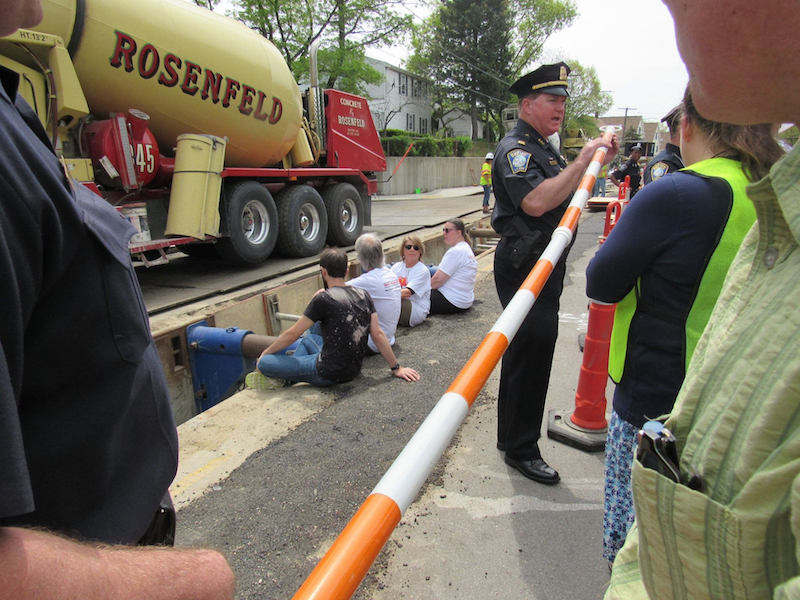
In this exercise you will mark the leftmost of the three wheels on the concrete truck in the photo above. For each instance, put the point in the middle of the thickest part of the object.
(250, 219)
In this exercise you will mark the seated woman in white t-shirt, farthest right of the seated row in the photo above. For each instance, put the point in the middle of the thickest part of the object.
(453, 283)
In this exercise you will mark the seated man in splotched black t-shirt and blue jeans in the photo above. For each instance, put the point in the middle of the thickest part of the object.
(344, 315)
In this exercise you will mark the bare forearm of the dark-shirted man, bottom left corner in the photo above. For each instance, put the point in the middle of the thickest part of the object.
(37, 564)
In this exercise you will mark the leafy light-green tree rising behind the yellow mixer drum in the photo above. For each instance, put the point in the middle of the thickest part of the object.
(343, 29)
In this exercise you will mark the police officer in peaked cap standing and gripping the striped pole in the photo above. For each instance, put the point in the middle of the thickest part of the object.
(532, 187)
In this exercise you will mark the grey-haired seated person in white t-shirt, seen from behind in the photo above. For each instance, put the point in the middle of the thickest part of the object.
(381, 284)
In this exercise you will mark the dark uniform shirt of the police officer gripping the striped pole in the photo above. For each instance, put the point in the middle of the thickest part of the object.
(523, 159)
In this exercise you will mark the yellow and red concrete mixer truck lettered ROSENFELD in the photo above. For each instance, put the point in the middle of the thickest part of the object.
(193, 127)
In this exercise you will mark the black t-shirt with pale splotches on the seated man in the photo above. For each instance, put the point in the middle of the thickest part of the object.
(344, 313)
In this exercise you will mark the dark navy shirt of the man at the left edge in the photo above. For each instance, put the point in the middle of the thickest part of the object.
(88, 444)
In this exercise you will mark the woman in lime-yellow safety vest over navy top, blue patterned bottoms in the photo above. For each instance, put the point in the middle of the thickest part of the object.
(664, 264)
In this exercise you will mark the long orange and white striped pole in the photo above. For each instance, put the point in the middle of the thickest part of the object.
(346, 563)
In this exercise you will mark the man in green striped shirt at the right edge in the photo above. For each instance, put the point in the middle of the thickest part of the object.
(729, 527)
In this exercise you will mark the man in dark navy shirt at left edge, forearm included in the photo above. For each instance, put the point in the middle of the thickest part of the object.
(88, 445)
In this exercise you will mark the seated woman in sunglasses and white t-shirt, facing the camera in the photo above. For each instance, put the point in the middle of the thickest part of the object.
(415, 282)
